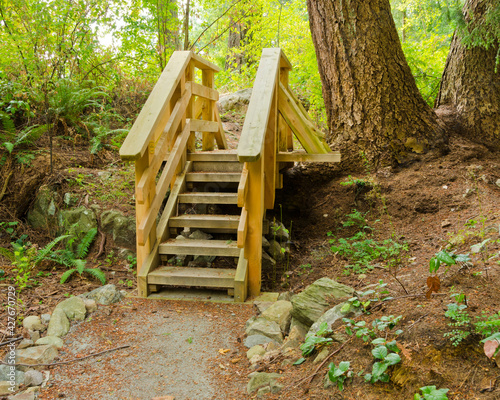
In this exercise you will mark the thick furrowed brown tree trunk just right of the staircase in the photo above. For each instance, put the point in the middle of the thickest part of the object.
(372, 102)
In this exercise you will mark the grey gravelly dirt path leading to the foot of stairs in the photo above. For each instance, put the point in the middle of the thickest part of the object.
(174, 350)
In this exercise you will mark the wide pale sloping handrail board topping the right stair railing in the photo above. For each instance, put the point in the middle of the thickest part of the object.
(256, 121)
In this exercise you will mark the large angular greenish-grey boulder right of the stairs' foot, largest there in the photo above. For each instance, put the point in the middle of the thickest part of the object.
(310, 304)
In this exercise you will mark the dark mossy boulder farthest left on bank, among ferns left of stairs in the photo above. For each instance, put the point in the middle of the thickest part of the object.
(43, 213)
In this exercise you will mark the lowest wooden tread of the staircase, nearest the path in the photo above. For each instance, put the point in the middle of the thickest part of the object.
(188, 276)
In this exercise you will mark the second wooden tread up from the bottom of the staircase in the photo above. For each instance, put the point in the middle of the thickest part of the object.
(200, 247)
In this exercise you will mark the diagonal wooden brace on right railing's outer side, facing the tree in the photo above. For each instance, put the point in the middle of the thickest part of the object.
(299, 125)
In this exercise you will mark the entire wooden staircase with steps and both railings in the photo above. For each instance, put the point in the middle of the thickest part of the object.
(223, 193)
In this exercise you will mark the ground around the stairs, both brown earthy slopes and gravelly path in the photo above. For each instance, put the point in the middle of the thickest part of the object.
(436, 202)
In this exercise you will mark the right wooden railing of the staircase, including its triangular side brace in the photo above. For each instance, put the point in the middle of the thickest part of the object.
(266, 143)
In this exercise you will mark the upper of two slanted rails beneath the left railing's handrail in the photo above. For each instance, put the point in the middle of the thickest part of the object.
(162, 145)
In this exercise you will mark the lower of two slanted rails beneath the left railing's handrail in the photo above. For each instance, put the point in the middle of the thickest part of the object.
(162, 186)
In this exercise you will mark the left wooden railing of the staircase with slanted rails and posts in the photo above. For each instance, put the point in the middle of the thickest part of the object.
(167, 125)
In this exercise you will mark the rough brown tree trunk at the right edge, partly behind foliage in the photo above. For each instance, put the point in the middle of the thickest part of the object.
(470, 87)
